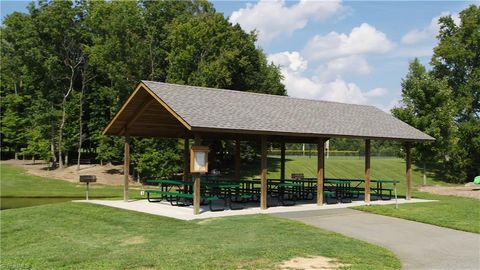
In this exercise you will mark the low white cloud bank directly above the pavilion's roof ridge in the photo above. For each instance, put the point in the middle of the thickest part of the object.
(293, 65)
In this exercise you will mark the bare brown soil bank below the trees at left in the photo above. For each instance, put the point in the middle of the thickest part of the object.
(107, 174)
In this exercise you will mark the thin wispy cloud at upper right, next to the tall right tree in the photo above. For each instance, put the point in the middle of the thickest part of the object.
(429, 32)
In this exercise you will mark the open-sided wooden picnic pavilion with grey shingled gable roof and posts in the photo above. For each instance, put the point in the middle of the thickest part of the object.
(157, 109)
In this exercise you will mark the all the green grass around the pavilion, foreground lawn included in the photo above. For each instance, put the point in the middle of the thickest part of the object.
(97, 237)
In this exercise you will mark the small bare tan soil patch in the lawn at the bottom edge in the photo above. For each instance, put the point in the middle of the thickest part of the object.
(311, 263)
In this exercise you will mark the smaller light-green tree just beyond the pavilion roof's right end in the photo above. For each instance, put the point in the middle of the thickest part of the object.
(427, 104)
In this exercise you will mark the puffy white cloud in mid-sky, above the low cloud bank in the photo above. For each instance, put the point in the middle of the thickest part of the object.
(363, 39)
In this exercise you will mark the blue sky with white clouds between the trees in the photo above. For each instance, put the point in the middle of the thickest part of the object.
(354, 51)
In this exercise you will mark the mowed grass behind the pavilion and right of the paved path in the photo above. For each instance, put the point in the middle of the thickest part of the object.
(448, 211)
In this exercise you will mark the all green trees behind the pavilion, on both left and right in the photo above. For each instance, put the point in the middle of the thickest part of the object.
(68, 66)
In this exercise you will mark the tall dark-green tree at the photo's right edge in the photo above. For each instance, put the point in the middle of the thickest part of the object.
(456, 59)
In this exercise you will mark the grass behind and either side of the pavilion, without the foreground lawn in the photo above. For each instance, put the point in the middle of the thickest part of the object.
(448, 211)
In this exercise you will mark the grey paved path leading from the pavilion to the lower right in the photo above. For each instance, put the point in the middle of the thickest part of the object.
(417, 245)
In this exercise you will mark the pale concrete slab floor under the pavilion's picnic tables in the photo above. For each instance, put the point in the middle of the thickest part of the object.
(186, 213)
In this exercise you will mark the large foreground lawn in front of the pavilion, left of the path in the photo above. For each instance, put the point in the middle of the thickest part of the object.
(85, 236)
